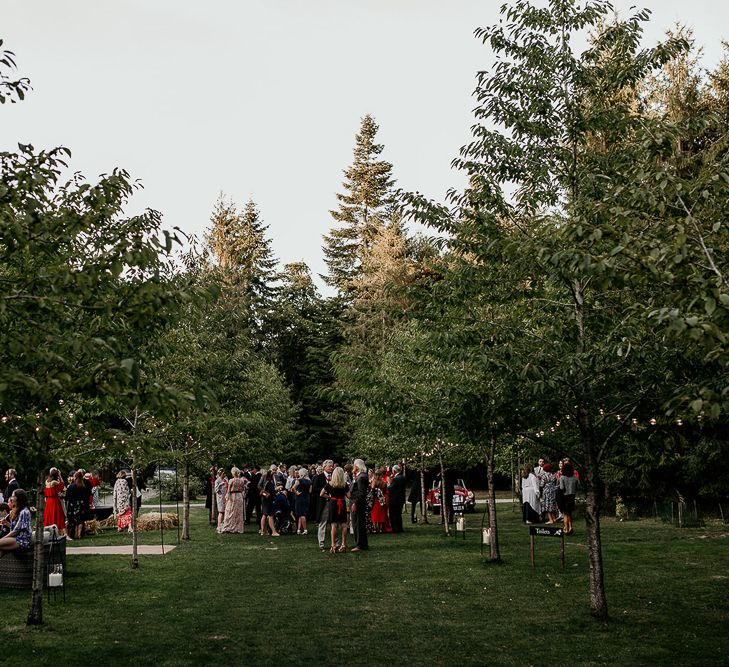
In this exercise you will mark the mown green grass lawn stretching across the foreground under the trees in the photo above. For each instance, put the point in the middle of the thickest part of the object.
(417, 598)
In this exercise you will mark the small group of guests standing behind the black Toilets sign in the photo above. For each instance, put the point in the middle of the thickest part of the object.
(549, 495)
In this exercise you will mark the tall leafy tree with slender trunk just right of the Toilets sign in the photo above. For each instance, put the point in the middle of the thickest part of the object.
(556, 133)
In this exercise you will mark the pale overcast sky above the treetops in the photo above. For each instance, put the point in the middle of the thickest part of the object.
(262, 99)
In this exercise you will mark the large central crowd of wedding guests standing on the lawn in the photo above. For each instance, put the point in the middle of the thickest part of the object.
(349, 500)
